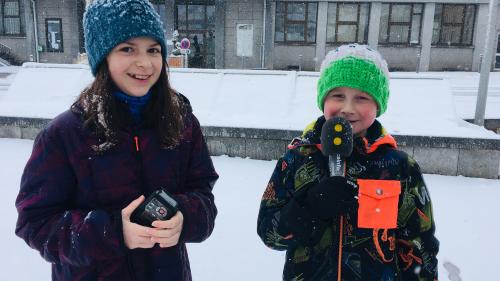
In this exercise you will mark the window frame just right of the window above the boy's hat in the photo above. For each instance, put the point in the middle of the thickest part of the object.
(409, 23)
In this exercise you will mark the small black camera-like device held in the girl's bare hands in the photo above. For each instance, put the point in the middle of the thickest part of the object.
(158, 206)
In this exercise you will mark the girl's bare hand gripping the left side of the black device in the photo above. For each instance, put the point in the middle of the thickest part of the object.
(134, 235)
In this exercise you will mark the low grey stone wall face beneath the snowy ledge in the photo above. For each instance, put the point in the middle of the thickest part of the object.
(435, 155)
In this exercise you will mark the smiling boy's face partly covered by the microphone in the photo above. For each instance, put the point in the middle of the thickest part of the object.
(357, 107)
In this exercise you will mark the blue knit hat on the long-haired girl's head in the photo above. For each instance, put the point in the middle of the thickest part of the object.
(108, 23)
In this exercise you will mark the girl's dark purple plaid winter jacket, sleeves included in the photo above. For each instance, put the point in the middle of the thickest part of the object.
(71, 198)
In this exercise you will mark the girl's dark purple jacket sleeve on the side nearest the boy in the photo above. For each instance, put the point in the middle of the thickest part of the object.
(197, 201)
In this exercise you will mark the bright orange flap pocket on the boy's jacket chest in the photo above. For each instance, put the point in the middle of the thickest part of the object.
(378, 203)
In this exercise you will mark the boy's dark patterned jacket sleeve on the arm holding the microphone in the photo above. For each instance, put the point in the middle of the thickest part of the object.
(284, 220)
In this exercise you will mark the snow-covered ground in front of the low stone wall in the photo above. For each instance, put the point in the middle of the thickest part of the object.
(466, 213)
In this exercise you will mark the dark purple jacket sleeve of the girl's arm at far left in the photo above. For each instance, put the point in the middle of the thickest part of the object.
(47, 219)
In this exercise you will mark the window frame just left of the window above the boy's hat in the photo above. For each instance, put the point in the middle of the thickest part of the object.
(304, 22)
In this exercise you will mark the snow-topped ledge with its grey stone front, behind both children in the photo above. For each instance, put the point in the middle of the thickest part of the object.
(255, 113)
